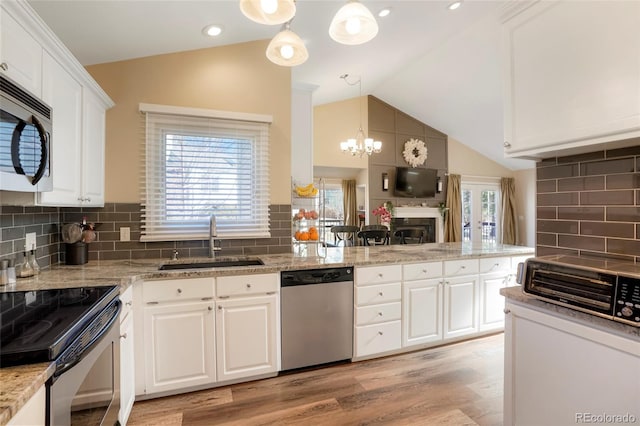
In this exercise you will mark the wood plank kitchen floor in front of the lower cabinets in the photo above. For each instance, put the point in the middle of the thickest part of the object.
(457, 384)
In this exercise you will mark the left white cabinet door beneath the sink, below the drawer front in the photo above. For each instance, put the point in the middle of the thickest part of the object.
(180, 346)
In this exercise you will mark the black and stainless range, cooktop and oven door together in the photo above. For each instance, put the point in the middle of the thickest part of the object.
(78, 329)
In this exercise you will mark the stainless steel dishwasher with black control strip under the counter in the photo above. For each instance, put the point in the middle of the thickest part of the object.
(316, 316)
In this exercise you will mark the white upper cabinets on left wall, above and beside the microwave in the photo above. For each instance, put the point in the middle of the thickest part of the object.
(34, 57)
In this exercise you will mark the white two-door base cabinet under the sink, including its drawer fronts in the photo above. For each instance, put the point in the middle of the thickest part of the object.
(198, 332)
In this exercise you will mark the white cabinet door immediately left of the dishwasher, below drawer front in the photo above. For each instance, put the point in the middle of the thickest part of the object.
(246, 341)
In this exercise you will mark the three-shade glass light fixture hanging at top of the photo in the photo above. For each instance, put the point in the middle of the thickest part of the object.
(353, 24)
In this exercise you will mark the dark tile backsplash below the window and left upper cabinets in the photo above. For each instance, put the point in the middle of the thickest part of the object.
(46, 222)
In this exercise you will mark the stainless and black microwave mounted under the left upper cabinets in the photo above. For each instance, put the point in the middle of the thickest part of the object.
(25, 140)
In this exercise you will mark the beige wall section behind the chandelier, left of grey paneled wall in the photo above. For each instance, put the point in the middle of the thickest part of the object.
(334, 123)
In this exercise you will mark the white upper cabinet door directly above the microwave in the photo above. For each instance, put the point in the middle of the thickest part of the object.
(20, 55)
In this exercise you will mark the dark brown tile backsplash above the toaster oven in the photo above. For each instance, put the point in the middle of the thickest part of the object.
(590, 204)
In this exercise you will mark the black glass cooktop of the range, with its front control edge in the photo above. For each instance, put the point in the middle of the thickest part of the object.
(36, 326)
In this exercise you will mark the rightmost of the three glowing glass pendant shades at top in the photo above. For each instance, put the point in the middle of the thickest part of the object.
(353, 24)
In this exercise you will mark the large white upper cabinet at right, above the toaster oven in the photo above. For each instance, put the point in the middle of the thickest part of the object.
(572, 77)
